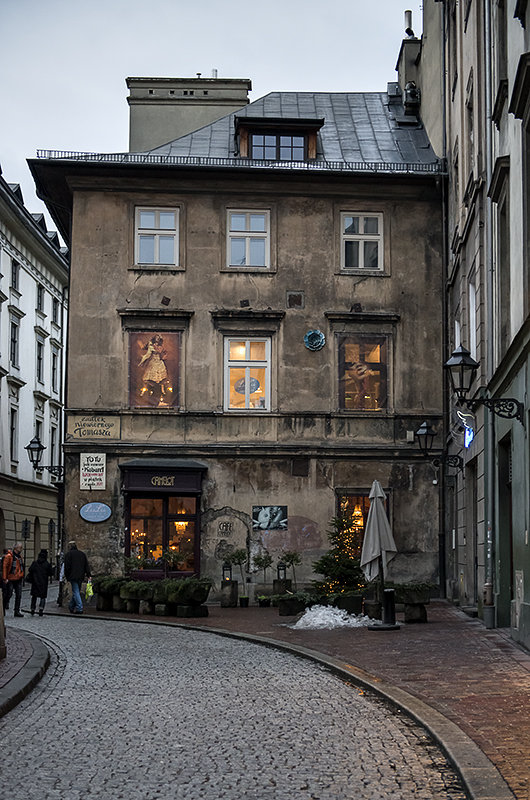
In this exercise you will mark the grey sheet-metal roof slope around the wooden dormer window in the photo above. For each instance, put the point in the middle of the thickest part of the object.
(359, 127)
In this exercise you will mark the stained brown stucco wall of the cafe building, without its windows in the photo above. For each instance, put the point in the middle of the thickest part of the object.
(249, 455)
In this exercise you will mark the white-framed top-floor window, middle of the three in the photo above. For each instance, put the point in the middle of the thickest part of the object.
(248, 241)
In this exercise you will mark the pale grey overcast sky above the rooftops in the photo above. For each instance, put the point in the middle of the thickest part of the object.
(63, 63)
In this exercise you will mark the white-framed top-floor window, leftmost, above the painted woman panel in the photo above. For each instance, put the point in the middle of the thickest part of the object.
(156, 236)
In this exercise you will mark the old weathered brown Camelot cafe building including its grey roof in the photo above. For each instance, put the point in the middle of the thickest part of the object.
(256, 334)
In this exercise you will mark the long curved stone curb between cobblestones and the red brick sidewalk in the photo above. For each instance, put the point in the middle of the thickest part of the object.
(479, 775)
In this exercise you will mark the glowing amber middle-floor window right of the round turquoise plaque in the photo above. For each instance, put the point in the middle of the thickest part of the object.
(363, 372)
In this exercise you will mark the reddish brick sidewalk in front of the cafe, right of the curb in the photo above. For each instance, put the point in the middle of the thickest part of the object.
(478, 679)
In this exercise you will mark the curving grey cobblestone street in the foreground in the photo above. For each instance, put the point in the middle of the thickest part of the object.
(147, 711)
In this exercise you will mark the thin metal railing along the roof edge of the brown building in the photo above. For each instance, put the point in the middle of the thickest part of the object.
(389, 167)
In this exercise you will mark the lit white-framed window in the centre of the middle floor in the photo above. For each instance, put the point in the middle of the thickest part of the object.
(247, 374)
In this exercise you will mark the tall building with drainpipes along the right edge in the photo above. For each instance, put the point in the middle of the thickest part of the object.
(472, 67)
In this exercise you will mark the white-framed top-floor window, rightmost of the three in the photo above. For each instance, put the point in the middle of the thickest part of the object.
(361, 241)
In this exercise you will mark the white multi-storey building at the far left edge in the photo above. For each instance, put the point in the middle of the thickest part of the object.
(33, 306)
